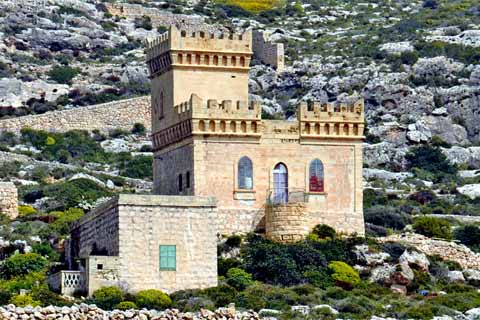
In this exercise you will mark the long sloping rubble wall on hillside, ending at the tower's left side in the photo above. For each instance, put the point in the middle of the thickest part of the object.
(104, 117)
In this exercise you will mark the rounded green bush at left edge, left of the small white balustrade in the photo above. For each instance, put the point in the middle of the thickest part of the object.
(22, 264)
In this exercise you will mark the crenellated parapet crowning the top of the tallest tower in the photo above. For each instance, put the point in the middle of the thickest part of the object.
(199, 41)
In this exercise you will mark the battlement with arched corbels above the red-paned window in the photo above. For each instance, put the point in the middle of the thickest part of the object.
(331, 120)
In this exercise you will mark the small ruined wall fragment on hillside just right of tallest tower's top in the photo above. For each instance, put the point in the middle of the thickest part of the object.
(268, 52)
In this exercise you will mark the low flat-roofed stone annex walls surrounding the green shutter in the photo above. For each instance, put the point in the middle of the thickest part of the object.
(134, 227)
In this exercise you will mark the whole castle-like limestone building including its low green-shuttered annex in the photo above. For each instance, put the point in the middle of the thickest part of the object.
(219, 168)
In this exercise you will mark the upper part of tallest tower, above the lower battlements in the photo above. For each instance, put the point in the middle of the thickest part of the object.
(182, 63)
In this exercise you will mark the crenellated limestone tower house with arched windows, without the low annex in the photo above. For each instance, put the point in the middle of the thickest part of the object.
(280, 176)
